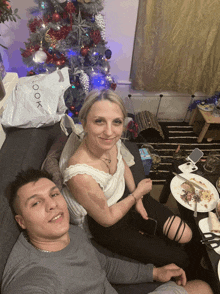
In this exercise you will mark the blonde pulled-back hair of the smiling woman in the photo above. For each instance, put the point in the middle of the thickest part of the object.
(96, 95)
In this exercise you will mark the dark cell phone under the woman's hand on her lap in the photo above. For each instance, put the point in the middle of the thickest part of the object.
(147, 227)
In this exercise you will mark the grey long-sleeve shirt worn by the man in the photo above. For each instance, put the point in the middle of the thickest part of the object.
(78, 268)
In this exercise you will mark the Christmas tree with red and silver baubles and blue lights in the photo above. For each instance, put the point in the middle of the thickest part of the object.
(70, 33)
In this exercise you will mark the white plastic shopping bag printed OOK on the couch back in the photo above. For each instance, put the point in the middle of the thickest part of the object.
(37, 101)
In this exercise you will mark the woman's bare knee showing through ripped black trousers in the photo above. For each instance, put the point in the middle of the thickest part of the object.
(177, 230)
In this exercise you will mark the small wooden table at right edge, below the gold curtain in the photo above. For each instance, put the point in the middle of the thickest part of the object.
(209, 119)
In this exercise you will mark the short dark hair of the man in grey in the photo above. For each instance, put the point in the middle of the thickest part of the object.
(23, 178)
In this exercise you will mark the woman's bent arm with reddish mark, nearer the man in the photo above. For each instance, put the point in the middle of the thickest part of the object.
(89, 194)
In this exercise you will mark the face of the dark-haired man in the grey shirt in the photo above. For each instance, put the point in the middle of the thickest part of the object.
(43, 211)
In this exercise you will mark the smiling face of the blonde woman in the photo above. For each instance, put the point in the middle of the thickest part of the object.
(104, 124)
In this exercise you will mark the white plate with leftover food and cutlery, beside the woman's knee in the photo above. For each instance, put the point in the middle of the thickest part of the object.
(177, 191)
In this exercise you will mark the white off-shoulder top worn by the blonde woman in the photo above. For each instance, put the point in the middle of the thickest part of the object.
(113, 186)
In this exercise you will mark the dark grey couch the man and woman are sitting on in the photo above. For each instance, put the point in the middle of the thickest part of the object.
(24, 148)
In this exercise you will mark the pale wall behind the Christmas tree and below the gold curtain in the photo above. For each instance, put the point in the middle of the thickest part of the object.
(120, 17)
